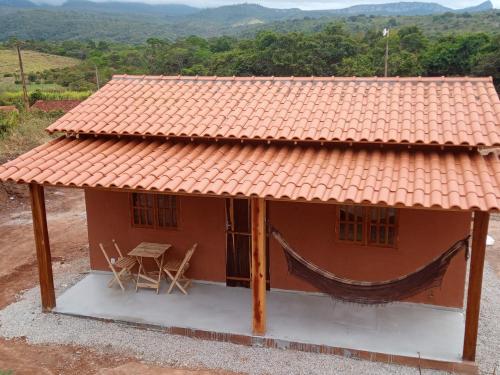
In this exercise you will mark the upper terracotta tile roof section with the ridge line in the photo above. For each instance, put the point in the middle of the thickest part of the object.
(459, 111)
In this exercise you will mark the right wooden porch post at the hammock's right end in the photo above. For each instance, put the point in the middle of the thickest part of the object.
(479, 232)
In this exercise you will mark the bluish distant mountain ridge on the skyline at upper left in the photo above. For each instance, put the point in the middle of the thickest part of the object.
(129, 8)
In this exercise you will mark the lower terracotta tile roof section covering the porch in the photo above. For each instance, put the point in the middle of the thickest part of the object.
(439, 179)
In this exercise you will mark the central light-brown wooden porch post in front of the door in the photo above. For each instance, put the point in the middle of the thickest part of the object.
(258, 273)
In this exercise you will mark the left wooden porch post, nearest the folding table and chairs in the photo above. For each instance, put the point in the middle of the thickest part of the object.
(42, 247)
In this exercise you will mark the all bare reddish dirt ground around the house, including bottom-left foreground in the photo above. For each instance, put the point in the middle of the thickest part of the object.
(68, 238)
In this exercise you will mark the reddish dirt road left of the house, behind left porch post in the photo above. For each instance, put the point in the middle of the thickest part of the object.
(67, 230)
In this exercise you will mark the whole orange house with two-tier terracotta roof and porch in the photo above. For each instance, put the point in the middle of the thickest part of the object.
(356, 181)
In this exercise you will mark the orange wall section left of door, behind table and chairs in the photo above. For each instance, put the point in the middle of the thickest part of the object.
(201, 220)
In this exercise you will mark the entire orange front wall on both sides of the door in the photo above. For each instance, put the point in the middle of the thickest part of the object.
(308, 227)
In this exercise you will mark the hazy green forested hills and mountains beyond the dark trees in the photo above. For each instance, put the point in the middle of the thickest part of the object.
(135, 23)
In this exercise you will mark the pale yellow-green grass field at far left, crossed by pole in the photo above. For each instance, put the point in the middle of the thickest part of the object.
(32, 61)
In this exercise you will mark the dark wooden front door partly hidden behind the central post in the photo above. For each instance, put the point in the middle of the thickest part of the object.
(239, 243)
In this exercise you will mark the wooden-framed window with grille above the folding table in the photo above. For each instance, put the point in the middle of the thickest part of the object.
(154, 210)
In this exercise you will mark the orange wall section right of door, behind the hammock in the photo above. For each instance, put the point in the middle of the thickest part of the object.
(422, 235)
